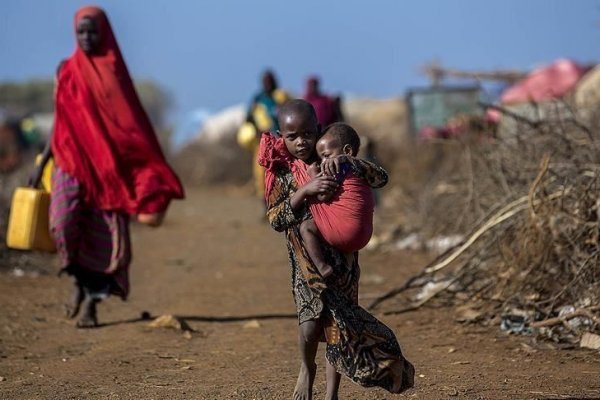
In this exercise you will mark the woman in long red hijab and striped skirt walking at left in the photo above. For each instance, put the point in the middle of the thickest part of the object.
(109, 166)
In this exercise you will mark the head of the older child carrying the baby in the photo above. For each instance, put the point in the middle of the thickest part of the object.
(299, 128)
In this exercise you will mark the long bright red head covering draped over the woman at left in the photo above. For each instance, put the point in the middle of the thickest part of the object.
(102, 135)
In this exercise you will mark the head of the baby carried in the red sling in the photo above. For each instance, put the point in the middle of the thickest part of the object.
(338, 138)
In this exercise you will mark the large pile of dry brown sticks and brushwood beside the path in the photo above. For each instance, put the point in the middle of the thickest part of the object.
(528, 202)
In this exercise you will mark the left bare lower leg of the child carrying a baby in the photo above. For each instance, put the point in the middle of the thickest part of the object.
(308, 342)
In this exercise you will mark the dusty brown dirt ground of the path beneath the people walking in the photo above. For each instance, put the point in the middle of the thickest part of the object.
(215, 263)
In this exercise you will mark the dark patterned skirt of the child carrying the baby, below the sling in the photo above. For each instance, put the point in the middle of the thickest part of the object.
(367, 351)
